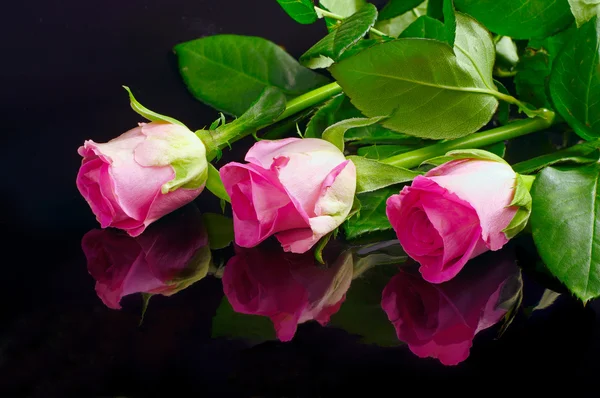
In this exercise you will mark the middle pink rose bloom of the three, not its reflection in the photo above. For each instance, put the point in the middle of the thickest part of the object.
(296, 189)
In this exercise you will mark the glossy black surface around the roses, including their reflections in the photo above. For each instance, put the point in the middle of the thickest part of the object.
(224, 320)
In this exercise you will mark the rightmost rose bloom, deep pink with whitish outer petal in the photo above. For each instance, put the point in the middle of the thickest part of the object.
(454, 213)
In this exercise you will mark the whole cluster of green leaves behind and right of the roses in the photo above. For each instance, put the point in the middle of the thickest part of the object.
(416, 73)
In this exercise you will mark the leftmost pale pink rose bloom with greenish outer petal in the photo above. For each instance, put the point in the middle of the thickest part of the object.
(138, 177)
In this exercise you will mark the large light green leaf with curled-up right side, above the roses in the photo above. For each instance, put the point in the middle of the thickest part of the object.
(435, 94)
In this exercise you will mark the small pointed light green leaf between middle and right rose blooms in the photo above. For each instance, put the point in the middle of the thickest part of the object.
(372, 175)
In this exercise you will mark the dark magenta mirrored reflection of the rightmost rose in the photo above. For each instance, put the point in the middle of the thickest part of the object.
(441, 320)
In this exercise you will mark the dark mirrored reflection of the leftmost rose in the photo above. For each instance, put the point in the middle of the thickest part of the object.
(169, 256)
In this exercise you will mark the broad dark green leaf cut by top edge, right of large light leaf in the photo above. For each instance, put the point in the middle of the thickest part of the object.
(519, 19)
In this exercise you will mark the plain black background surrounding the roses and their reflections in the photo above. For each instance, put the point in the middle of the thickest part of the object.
(63, 64)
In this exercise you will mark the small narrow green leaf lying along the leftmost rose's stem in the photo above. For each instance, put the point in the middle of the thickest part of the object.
(269, 105)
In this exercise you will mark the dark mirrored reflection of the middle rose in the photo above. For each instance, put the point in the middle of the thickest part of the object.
(288, 288)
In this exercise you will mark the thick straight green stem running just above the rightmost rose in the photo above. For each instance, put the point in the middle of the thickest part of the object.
(516, 129)
